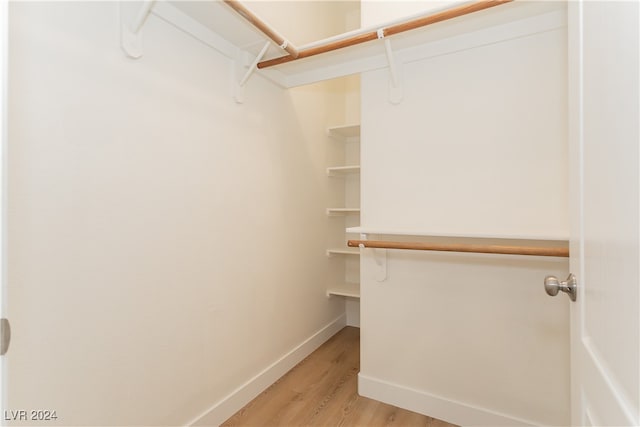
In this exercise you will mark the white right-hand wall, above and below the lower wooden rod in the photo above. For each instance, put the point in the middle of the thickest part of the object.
(476, 147)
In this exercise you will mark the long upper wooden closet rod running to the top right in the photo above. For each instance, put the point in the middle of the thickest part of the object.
(385, 32)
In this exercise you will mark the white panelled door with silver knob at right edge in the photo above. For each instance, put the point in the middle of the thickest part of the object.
(605, 189)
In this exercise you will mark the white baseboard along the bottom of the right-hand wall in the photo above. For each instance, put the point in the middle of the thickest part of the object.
(434, 406)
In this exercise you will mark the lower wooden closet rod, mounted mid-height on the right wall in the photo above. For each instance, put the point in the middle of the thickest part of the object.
(482, 249)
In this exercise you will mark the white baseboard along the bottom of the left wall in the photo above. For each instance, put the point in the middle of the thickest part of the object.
(225, 408)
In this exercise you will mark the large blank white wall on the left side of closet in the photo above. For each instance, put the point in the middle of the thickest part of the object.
(166, 245)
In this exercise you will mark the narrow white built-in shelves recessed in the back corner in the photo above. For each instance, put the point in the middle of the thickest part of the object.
(345, 262)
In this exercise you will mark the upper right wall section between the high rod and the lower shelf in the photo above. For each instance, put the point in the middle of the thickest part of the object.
(487, 134)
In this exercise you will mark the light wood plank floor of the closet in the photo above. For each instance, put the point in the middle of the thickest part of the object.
(322, 391)
